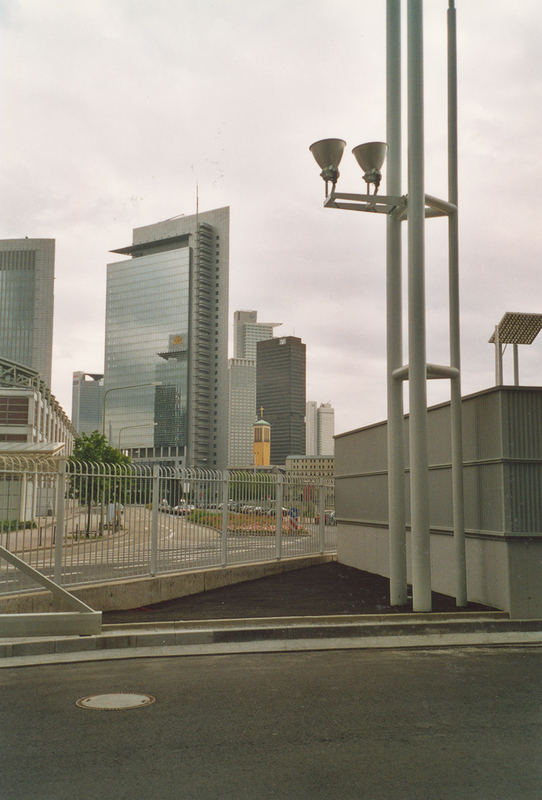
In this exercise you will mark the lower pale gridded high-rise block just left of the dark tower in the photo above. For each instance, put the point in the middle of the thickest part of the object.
(242, 406)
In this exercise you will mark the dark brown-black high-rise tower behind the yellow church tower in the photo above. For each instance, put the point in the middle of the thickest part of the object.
(280, 392)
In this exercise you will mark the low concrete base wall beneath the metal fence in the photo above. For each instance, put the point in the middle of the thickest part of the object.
(126, 594)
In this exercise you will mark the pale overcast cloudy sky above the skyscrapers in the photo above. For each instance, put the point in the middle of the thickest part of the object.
(114, 110)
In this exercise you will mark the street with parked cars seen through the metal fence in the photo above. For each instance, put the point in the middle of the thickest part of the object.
(181, 544)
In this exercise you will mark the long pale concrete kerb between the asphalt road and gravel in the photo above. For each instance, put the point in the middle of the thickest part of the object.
(277, 634)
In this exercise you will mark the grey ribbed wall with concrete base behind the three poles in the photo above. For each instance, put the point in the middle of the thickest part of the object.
(502, 441)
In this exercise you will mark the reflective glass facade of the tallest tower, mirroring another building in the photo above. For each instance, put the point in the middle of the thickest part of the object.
(147, 319)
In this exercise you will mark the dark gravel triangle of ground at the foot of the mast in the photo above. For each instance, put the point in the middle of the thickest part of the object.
(322, 590)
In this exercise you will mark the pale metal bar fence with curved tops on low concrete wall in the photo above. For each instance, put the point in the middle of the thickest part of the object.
(82, 523)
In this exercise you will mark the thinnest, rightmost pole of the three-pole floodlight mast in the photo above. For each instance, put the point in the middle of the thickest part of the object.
(455, 347)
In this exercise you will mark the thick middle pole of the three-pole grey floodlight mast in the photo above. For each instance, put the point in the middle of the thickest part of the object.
(419, 484)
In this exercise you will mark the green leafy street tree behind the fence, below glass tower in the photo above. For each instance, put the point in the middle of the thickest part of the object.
(96, 449)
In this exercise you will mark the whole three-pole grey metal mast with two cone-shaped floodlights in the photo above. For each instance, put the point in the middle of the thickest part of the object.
(414, 207)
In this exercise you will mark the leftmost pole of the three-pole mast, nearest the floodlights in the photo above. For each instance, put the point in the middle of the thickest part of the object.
(396, 477)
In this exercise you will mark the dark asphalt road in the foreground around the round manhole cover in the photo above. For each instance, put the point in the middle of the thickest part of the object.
(417, 725)
